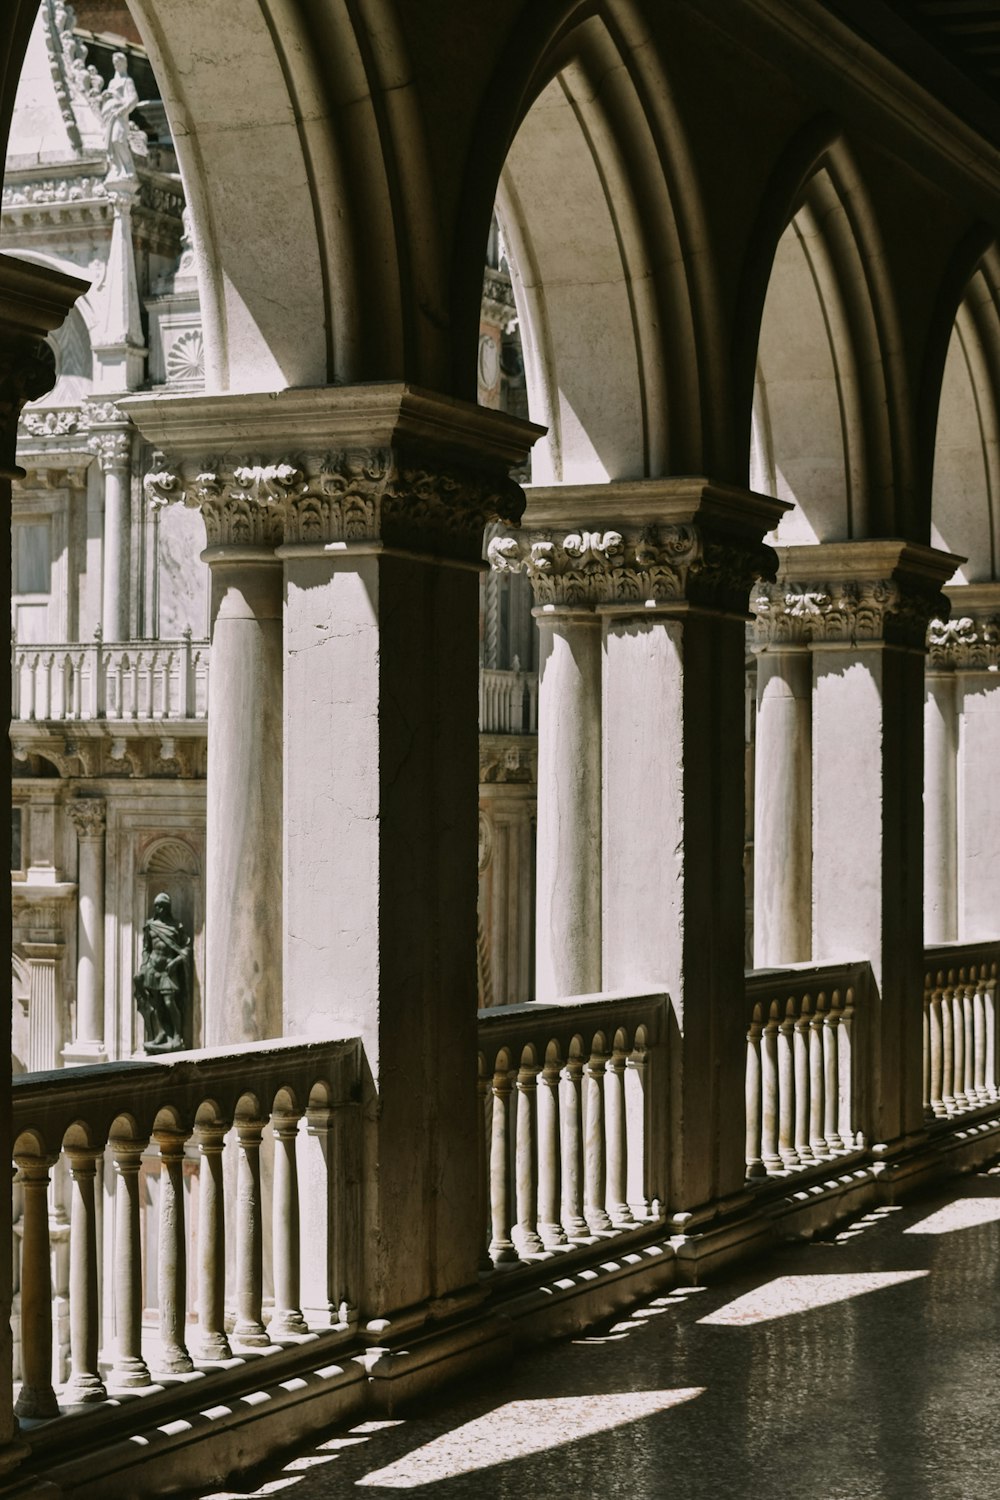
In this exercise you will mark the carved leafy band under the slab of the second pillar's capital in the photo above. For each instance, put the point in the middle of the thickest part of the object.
(662, 565)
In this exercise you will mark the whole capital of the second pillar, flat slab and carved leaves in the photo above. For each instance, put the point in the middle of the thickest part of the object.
(641, 544)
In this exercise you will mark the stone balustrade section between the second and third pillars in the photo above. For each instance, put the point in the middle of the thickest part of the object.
(804, 1066)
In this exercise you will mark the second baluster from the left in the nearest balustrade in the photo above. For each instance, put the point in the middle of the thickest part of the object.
(85, 1322)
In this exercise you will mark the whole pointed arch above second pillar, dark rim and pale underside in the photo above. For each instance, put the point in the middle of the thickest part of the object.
(588, 167)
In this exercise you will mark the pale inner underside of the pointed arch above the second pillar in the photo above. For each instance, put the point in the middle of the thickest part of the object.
(599, 275)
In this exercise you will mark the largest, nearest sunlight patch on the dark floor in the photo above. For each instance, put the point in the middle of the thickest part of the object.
(519, 1430)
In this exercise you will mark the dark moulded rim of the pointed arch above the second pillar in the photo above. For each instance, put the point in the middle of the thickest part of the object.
(621, 97)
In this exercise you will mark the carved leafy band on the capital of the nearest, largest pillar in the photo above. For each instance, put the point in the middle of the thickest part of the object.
(356, 496)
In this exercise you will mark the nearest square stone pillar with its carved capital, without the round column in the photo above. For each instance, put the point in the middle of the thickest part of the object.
(385, 493)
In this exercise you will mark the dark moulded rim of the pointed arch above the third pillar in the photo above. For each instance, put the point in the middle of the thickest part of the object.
(818, 173)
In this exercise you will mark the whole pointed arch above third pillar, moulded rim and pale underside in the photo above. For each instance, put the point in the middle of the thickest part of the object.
(818, 217)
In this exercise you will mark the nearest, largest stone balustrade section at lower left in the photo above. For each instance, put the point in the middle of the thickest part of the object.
(103, 1129)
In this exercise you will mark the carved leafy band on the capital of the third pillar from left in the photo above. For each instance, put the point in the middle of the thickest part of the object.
(846, 611)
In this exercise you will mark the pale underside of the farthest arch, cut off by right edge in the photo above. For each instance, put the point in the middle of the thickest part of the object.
(966, 490)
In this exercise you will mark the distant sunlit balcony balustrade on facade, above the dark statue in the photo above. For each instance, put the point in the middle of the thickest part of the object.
(148, 682)
